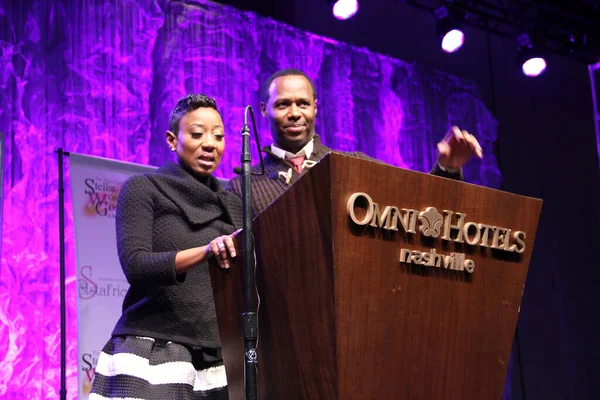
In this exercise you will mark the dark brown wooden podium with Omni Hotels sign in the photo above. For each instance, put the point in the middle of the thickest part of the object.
(341, 317)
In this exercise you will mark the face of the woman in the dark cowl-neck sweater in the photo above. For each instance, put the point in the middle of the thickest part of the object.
(200, 142)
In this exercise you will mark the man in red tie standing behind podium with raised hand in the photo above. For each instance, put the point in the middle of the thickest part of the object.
(290, 105)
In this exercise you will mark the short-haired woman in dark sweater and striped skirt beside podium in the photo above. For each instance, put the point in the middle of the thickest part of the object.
(169, 224)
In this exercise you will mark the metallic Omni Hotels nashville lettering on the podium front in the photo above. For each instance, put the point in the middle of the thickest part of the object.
(451, 226)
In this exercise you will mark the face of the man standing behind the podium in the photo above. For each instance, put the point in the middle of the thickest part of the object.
(291, 111)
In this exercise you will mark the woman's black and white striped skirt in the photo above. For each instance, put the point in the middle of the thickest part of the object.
(133, 367)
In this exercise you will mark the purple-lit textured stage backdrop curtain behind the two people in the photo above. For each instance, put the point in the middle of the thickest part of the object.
(100, 77)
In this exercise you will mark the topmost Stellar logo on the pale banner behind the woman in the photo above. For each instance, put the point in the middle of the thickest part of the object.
(102, 197)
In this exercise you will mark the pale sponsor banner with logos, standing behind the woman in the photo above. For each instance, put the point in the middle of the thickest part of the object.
(95, 186)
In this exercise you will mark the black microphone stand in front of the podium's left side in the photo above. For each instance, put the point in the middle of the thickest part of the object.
(250, 315)
